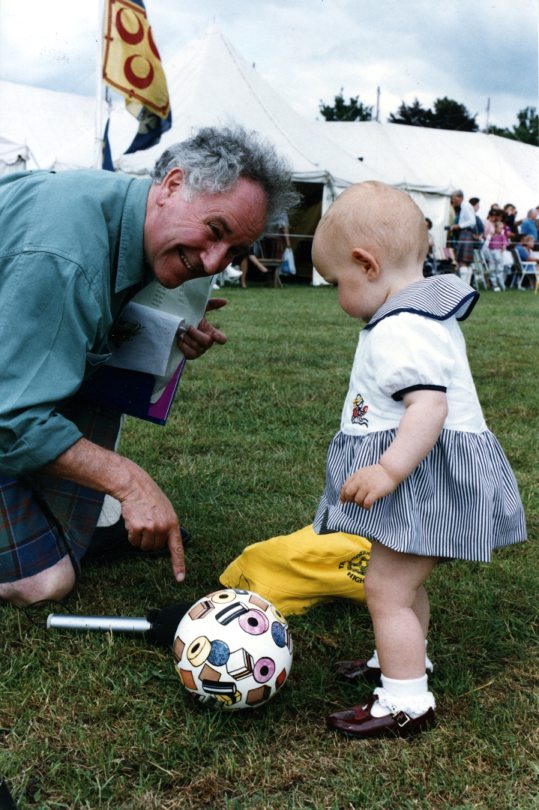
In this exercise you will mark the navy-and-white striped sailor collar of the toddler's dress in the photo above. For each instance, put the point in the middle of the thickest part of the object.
(437, 297)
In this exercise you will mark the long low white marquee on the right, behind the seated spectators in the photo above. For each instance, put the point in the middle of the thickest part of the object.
(430, 163)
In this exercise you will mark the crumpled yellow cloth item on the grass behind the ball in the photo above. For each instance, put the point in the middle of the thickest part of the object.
(296, 571)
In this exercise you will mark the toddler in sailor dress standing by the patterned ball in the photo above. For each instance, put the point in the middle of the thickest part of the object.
(414, 467)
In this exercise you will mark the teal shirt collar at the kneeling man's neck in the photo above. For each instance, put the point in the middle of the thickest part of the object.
(131, 262)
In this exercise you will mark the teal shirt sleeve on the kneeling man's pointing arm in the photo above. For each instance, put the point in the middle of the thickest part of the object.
(49, 322)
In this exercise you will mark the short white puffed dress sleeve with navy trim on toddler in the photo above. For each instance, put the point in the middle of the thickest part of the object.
(412, 353)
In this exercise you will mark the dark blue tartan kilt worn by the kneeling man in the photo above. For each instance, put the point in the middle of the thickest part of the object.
(42, 517)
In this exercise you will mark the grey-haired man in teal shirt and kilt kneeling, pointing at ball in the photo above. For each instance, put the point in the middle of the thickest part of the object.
(74, 248)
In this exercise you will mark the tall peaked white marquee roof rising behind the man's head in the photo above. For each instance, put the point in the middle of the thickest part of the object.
(211, 83)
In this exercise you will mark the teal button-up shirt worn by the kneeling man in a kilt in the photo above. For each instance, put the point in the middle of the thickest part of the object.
(71, 245)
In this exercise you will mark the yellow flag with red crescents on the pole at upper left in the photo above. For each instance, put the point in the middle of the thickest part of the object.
(132, 66)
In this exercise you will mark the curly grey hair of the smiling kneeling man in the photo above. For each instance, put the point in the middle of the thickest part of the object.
(213, 159)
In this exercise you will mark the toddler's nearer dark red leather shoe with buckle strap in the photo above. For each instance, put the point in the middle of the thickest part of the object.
(359, 722)
